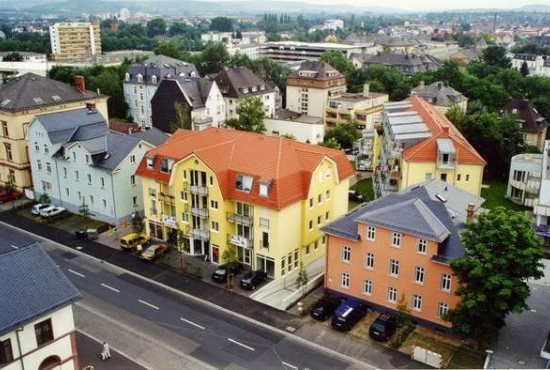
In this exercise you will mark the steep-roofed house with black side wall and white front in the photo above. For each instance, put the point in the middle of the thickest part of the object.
(202, 97)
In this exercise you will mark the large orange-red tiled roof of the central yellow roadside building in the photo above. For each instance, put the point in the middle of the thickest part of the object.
(286, 164)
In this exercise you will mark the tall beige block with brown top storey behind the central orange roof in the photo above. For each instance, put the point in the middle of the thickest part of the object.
(309, 88)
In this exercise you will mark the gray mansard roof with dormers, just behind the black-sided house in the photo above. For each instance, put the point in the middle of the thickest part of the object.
(160, 66)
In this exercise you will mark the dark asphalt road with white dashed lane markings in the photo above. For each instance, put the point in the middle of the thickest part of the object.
(213, 336)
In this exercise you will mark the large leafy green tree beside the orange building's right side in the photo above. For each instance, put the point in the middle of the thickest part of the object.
(502, 252)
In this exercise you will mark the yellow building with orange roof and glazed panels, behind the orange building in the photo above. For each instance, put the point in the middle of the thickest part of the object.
(415, 143)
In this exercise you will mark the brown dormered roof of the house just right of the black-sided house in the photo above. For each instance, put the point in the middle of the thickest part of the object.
(238, 81)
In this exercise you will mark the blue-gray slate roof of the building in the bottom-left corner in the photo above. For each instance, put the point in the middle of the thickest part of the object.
(32, 287)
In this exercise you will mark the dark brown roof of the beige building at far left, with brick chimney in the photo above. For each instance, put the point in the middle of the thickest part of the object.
(31, 91)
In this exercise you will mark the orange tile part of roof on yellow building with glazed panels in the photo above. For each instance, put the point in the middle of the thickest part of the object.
(441, 128)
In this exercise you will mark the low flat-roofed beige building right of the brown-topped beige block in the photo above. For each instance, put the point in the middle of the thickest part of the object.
(365, 107)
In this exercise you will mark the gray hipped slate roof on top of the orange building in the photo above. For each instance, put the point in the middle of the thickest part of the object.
(416, 210)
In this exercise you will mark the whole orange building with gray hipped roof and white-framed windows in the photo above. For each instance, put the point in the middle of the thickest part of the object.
(398, 249)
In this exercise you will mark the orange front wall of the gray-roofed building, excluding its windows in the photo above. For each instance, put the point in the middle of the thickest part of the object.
(383, 251)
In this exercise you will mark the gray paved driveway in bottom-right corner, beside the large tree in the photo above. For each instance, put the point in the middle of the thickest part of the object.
(520, 341)
